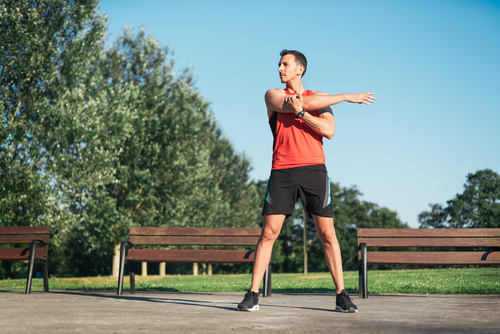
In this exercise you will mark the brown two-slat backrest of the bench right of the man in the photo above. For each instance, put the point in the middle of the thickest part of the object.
(447, 237)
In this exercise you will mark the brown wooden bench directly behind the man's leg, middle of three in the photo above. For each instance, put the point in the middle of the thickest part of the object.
(189, 236)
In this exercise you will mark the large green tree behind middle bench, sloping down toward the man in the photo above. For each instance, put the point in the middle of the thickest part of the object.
(176, 169)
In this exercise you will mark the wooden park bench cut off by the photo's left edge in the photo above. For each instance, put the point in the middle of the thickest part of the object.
(38, 239)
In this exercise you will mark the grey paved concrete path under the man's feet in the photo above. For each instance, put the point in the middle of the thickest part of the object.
(158, 312)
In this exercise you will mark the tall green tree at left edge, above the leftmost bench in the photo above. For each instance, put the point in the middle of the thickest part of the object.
(38, 41)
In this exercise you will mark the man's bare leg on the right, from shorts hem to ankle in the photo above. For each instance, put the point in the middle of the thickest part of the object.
(333, 257)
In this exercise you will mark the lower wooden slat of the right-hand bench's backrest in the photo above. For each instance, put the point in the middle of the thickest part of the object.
(429, 242)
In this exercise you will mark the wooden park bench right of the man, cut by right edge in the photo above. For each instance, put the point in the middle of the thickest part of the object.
(466, 237)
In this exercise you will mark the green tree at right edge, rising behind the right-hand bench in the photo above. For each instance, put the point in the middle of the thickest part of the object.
(477, 207)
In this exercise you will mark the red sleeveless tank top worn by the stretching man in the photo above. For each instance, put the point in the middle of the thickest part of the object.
(295, 143)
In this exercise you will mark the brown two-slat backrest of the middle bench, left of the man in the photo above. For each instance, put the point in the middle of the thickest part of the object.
(164, 236)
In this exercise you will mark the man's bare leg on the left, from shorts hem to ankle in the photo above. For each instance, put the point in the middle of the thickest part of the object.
(270, 232)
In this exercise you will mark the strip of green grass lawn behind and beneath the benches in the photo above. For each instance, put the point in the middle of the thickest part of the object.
(481, 281)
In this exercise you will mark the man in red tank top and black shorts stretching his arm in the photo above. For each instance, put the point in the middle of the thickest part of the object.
(299, 120)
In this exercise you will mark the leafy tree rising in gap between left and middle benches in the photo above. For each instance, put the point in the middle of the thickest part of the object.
(86, 143)
